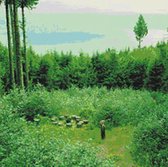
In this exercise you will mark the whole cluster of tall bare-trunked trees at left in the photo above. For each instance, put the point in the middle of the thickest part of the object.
(18, 66)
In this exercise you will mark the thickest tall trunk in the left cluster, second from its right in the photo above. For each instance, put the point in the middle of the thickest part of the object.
(17, 46)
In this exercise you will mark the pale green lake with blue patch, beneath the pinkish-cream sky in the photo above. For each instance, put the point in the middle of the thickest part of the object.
(88, 32)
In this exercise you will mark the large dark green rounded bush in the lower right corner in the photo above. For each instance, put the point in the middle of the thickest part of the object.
(150, 142)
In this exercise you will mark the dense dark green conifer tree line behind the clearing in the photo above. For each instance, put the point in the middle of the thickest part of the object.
(145, 68)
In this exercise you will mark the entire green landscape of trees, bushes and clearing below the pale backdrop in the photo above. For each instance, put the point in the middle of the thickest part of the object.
(52, 104)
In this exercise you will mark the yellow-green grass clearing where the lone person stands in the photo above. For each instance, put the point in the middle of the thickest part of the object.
(115, 146)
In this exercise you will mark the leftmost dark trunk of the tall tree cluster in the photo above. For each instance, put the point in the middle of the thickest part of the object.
(11, 69)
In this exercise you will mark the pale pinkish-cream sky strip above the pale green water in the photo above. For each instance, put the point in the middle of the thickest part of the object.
(104, 6)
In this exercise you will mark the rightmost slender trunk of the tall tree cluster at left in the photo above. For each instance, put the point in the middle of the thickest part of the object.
(25, 64)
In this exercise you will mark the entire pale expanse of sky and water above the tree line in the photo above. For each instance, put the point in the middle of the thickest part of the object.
(91, 25)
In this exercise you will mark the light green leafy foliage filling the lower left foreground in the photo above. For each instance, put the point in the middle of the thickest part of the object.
(23, 145)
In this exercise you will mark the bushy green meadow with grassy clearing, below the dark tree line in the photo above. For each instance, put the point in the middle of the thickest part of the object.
(136, 128)
